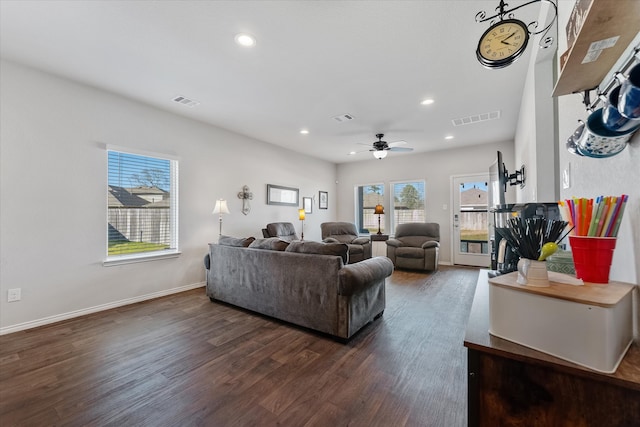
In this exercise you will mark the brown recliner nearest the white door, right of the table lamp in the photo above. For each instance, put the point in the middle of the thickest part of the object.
(415, 246)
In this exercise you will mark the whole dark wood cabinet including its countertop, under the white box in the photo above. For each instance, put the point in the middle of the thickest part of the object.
(512, 385)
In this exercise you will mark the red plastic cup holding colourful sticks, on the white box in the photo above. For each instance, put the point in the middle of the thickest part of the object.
(592, 257)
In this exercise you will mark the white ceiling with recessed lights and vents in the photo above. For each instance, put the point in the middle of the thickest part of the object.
(375, 60)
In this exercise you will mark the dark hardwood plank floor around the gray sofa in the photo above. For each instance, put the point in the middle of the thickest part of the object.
(184, 361)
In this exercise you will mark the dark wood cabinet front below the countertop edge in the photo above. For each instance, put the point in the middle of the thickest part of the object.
(505, 392)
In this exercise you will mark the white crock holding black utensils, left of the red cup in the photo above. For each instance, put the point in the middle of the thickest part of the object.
(533, 239)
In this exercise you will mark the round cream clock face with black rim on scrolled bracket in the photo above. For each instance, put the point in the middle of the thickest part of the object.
(502, 43)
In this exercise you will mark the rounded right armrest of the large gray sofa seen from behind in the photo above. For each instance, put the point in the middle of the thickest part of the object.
(355, 278)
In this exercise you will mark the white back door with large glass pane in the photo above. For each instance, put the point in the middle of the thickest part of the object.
(470, 243)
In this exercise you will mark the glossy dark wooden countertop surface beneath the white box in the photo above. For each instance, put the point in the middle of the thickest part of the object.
(478, 338)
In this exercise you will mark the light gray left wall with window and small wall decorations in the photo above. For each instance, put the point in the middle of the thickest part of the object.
(53, 204)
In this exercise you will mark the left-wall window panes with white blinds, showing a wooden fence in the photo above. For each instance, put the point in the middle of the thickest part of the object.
(142, 208)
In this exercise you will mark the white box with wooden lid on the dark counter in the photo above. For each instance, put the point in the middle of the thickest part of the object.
(588, 325)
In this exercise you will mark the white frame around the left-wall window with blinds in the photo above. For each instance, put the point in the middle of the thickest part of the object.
(173, 251)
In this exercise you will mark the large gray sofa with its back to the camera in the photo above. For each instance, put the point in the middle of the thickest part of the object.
(305, 283)
